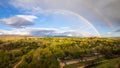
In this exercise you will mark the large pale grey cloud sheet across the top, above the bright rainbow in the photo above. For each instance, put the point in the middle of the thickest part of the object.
(107, 10)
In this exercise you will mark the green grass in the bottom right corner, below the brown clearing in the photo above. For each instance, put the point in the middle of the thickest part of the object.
(106, 63)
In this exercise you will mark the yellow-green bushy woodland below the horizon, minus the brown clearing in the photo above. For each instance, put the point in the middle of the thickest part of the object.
(46, 50)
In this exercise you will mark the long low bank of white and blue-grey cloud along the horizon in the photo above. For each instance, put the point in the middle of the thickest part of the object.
(44, 32)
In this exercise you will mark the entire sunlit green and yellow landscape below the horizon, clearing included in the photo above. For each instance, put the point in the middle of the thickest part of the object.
(59, 52)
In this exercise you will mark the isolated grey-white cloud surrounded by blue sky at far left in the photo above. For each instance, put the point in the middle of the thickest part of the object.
(19, 21)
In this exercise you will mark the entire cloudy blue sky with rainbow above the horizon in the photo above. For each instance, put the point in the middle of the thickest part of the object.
(80, 18)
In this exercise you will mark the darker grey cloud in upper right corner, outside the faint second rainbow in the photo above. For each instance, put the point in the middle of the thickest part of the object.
(110, 10)
